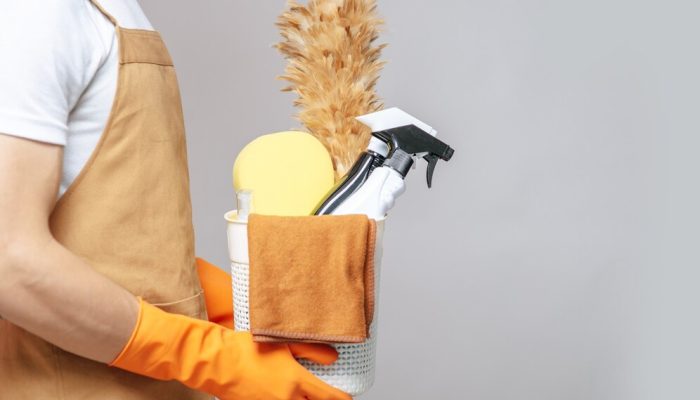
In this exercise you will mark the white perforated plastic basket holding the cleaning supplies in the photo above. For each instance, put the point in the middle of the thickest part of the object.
(354, 371)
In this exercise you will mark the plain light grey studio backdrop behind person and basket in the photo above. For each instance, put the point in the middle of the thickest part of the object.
(556, 256)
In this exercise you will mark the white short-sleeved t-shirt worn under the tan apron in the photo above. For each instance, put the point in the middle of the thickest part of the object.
(58, 72)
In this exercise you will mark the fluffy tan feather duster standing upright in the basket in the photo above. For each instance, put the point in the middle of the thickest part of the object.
(333, 65)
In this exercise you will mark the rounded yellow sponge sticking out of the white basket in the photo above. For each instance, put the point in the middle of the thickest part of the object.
(288, 173)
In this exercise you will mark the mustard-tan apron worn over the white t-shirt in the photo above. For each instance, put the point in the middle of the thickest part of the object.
(128, 214)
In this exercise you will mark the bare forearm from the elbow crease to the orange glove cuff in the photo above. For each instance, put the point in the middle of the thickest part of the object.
(54, 294)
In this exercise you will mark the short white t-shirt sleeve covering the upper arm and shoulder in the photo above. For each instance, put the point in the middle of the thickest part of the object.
(45, 65)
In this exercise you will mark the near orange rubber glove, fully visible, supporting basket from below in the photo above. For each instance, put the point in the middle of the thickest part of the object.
(219, 361)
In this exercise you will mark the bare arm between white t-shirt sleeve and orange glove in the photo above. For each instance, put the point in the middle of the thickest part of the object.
(44, 288)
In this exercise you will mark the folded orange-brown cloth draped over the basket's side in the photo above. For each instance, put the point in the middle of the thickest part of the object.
(311, 278)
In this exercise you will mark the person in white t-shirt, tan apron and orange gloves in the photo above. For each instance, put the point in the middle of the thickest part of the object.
(99, 292)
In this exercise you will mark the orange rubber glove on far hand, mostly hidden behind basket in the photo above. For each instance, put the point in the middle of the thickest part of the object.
(218, 293)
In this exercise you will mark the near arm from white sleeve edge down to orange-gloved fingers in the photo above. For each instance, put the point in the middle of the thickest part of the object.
(50, 292)
